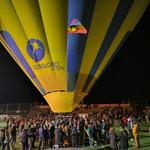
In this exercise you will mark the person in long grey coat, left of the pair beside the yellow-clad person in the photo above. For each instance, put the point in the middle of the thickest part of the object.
(113, 139)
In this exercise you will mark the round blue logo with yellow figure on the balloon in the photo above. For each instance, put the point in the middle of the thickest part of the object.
(35, 49)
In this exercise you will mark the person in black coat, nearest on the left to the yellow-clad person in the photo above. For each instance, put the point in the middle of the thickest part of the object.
(123, 140)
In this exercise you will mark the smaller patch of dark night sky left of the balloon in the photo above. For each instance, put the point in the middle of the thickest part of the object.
(14, 84)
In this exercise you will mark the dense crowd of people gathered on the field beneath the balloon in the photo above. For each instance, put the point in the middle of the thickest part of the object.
(44, 129)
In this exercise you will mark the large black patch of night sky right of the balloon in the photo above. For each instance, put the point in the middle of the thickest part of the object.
(128, 76)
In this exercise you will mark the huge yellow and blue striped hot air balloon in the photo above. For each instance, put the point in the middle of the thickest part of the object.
(64, 46)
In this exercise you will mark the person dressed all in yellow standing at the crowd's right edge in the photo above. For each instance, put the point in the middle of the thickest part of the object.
(136, 134)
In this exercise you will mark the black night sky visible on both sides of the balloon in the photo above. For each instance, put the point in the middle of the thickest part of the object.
(127, 77)
